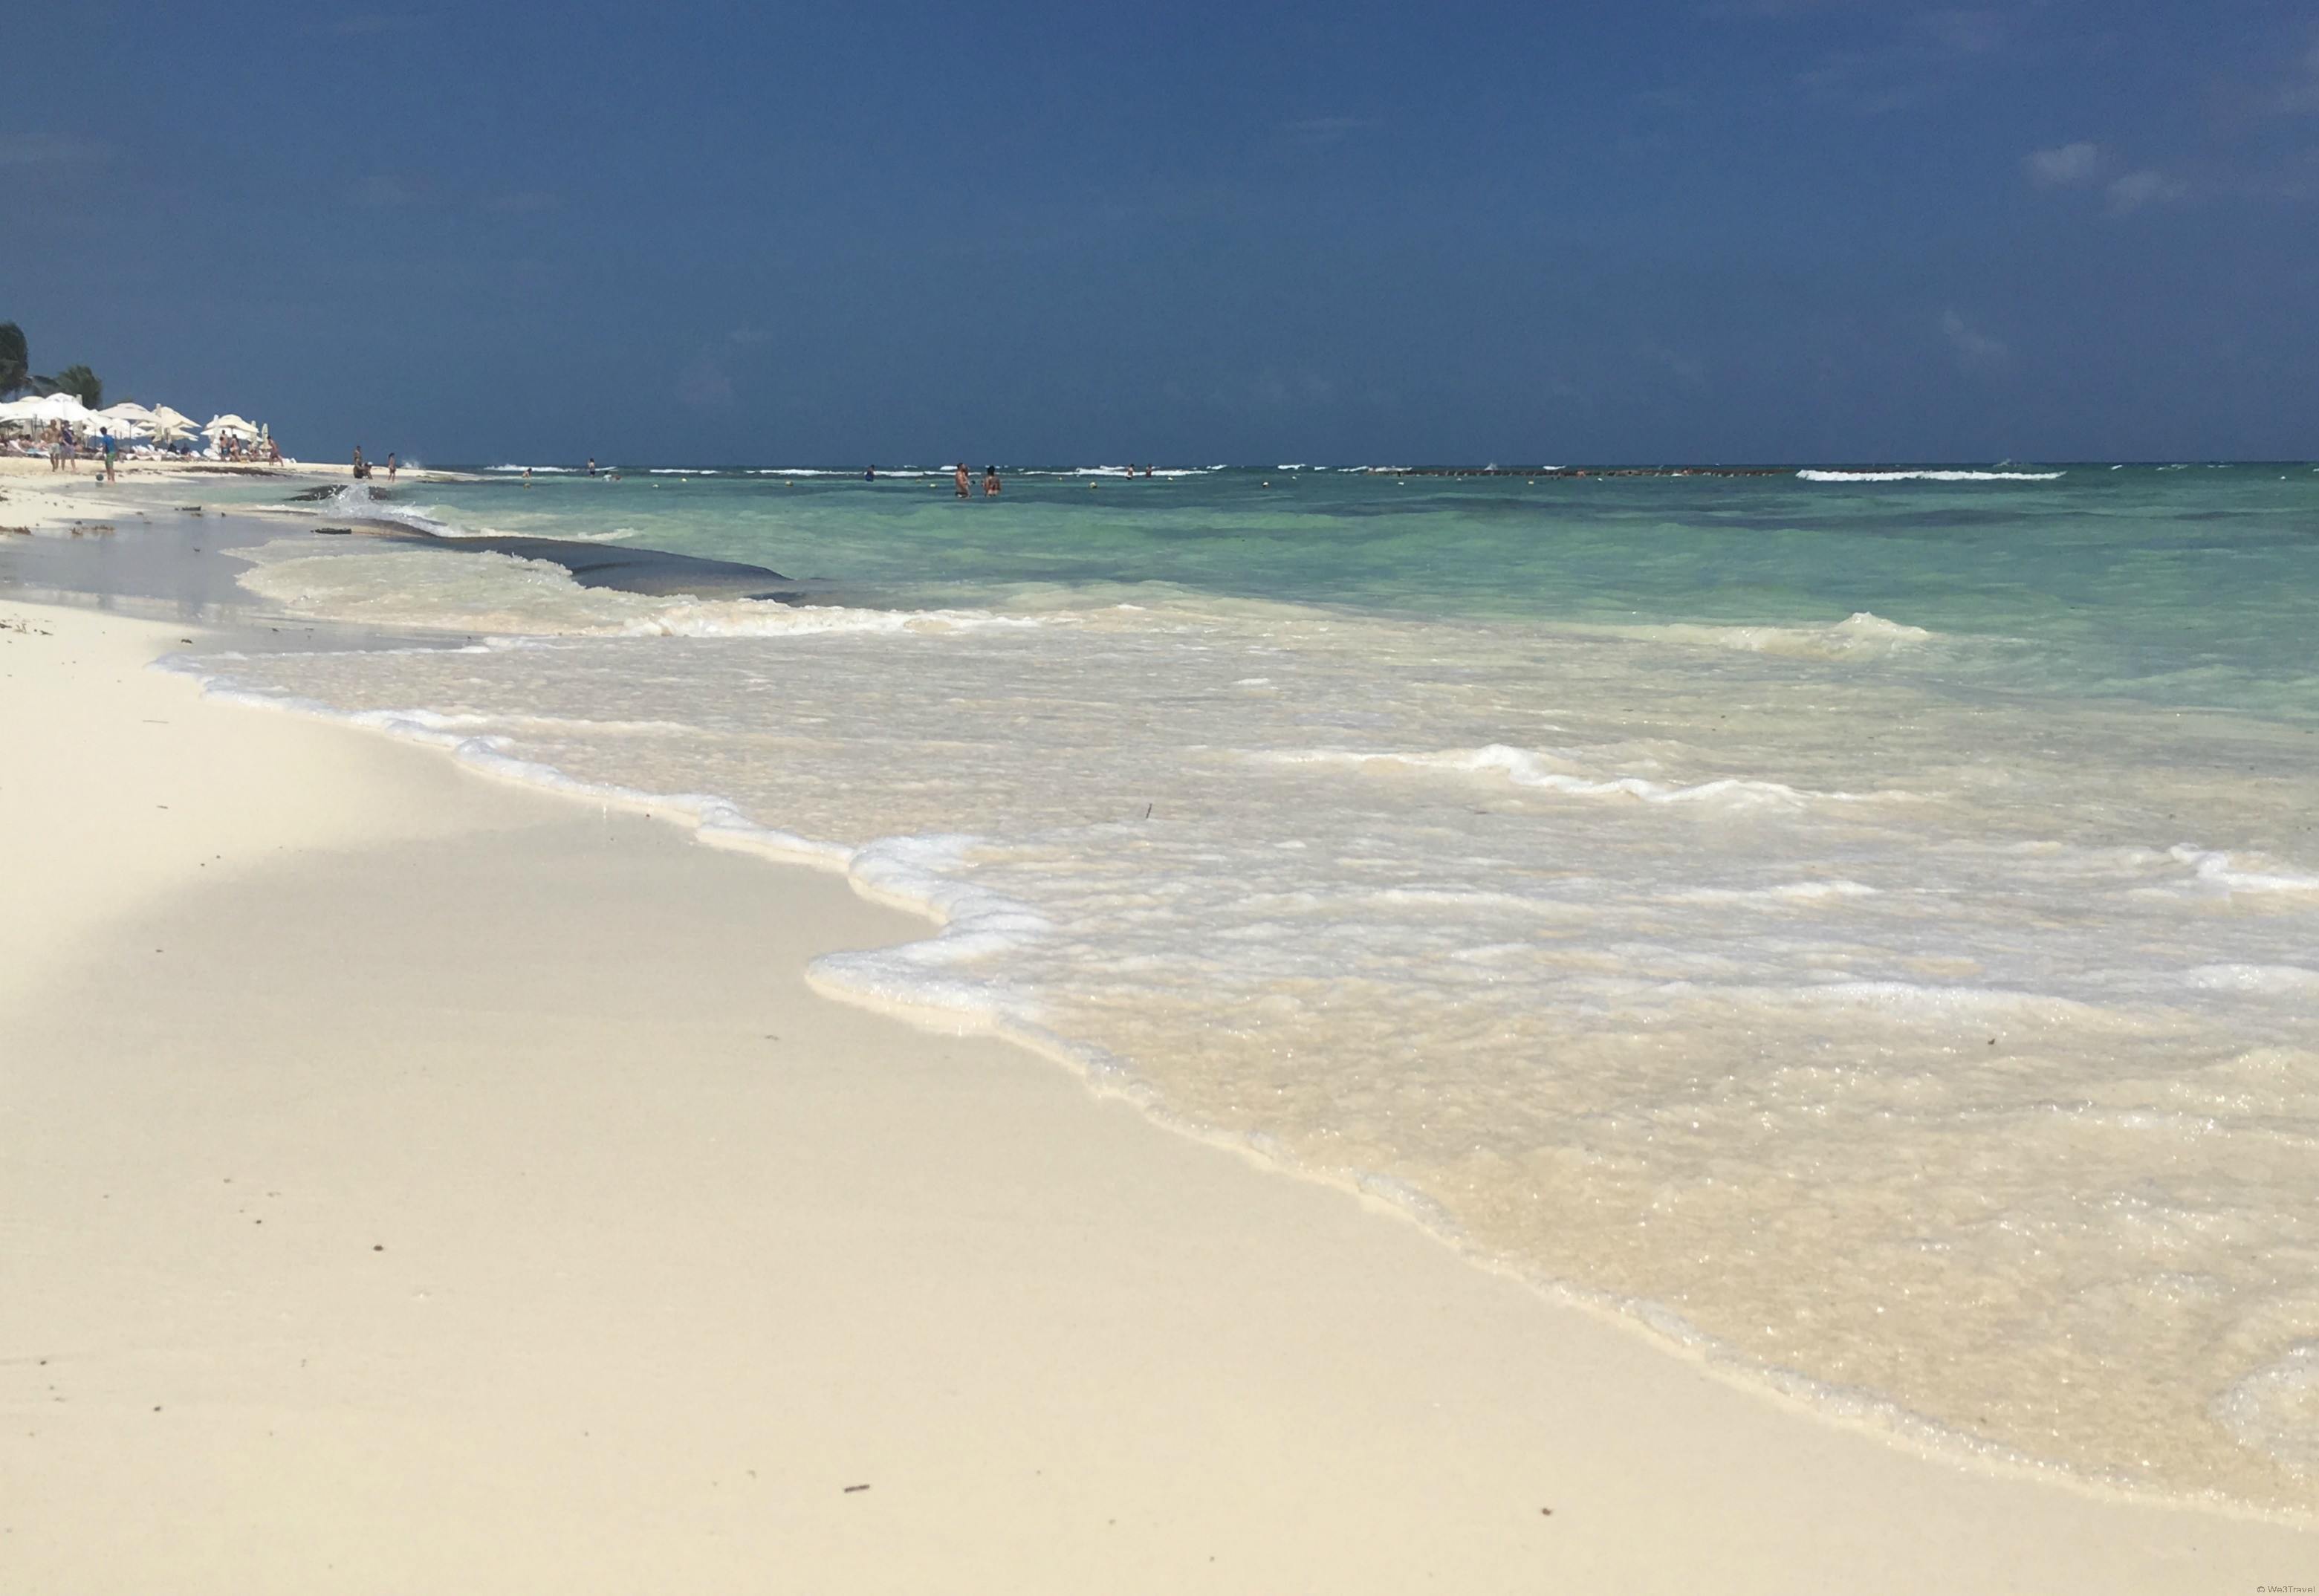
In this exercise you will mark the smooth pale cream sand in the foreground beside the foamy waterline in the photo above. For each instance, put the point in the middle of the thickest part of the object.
(423, 1184)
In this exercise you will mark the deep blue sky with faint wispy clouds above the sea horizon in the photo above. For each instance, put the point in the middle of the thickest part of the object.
(1715, 231)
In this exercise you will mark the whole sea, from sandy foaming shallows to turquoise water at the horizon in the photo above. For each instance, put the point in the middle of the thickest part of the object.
(1859, 927)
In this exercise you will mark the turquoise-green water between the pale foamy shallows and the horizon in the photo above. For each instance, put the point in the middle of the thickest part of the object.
(2181, 586)
